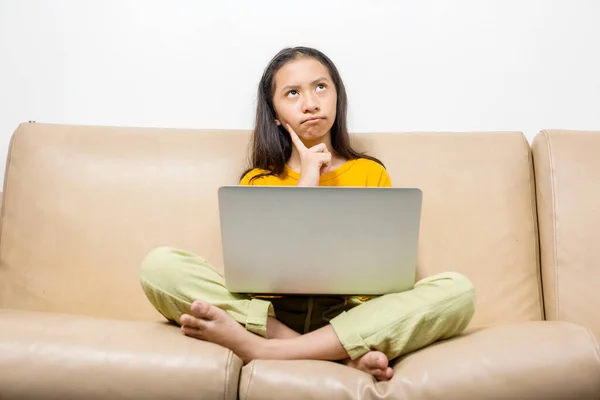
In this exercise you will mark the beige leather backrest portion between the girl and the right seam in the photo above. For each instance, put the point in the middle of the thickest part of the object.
(478, 213)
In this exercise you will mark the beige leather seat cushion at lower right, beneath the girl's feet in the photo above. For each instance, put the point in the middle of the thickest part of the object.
(536, 360)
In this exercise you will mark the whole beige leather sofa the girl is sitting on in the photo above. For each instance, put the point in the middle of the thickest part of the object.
(82, 205)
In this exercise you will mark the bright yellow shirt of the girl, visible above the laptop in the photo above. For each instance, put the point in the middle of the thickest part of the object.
(359, 172)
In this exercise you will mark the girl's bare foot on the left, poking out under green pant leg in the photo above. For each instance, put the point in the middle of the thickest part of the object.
(212, 324)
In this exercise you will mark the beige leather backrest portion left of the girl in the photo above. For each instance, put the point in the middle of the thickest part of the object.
(84, 204)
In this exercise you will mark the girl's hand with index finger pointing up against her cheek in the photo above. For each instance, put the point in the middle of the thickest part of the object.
(314, 161)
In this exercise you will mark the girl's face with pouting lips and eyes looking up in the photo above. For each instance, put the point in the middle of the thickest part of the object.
(305, 98)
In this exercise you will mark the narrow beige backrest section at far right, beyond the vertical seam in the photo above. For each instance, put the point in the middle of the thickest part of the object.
(567, 169)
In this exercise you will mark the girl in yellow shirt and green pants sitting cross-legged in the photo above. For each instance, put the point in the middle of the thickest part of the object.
(301, 139)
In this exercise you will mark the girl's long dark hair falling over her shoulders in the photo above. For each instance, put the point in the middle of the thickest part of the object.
(271, 144)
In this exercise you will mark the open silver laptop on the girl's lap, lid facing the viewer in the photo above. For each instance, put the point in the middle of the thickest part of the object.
(319, 240)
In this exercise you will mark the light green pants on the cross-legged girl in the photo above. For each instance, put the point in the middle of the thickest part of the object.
(438, 307)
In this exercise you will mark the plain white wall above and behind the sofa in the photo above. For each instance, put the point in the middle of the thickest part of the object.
(408, 65)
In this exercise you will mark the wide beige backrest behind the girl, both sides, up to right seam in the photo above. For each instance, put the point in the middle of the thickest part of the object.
(84, 204)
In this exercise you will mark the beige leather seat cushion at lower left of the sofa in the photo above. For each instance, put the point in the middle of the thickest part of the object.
(46, 355)
